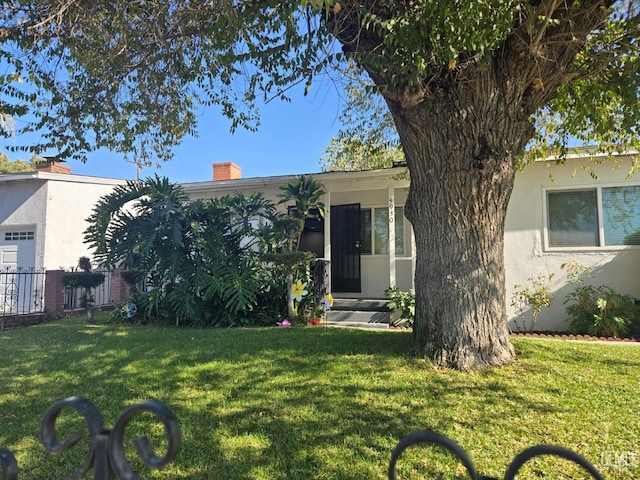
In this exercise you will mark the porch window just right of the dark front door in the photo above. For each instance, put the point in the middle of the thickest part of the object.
(374, 231)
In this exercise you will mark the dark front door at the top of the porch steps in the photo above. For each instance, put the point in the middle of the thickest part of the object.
(345, 248)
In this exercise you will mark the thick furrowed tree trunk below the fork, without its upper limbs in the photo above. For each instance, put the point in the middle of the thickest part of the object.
(460, 152)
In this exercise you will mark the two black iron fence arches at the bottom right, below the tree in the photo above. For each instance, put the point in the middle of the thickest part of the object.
(434, 438)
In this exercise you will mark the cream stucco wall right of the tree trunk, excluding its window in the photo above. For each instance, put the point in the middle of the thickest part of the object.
(526, 253)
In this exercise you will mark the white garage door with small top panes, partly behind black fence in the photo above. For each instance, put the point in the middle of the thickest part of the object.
(17, 251)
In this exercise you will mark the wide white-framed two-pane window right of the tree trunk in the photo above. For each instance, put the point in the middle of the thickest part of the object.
(594, 217)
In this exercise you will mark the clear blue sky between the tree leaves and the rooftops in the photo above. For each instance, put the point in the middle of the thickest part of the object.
(290, 140)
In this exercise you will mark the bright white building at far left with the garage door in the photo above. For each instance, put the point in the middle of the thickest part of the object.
(43, 216)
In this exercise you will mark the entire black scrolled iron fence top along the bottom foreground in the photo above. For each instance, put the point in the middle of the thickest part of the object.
(107, 458)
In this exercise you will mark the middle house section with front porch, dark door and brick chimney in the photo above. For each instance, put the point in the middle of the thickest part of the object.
(365, 257)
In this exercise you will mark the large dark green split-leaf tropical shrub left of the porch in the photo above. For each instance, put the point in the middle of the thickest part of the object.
(200, 261)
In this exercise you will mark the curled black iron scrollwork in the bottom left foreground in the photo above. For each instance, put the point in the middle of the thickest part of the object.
(106, 455)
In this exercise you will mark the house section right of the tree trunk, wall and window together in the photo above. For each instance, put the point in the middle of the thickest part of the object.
(582, 212)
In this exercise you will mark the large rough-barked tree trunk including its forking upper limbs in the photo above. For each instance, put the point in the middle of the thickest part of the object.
(461, 126)
